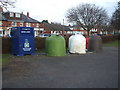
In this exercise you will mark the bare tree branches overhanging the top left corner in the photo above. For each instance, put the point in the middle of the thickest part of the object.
(7, 3)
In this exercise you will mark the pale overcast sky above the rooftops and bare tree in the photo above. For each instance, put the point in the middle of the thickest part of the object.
(55, 10)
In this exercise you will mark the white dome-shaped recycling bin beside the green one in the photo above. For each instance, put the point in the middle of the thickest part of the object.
(77, 44)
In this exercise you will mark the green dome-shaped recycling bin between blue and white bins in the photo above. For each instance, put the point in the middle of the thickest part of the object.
(55, 45)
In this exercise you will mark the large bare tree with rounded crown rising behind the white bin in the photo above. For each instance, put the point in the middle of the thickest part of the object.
(87, 16)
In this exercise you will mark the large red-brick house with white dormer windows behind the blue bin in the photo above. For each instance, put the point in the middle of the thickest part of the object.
(15, 19)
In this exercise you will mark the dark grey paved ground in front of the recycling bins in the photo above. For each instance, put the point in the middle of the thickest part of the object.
(92, 70)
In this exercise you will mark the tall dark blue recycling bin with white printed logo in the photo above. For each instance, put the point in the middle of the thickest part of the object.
(22, 40)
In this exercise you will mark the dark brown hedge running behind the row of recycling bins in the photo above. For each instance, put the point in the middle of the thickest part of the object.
(40, 42)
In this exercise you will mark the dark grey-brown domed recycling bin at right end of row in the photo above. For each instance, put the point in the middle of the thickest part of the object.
(95, 43)
